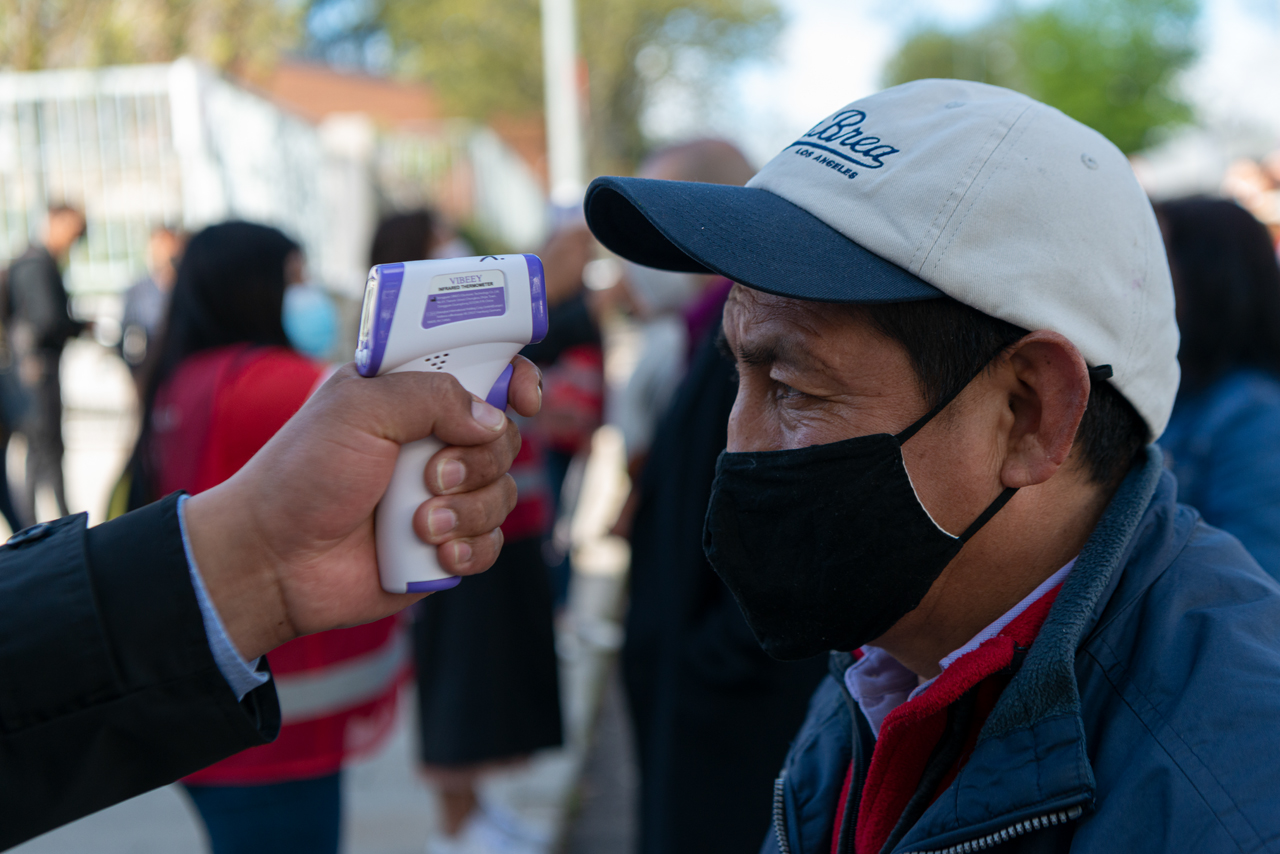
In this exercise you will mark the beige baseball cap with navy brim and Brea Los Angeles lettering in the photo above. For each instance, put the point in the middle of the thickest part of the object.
(929, 189)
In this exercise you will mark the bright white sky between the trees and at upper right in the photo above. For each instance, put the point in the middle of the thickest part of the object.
(833, 52)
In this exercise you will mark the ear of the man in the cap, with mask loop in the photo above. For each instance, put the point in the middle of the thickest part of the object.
(1049, 394)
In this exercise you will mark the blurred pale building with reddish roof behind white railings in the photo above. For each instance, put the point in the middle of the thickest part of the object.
(313, 152)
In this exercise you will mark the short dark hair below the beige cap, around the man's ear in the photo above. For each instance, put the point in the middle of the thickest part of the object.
(950, 344)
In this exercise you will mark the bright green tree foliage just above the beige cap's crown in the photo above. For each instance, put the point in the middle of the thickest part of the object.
(1108, 63)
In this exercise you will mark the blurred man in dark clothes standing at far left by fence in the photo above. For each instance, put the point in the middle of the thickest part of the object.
(39, 327)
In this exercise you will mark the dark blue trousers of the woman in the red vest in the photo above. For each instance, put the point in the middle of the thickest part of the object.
(294, 818)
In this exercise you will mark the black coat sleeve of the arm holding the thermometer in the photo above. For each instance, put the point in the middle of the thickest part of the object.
(108, 687)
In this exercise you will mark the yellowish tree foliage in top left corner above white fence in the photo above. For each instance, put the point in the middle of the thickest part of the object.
(244, 35)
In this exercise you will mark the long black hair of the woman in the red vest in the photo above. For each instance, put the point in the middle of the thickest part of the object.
(230, 290)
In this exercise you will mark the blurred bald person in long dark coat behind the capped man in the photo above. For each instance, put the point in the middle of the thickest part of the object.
(714, 714)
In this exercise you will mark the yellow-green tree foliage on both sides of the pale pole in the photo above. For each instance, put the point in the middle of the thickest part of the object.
(484, 57)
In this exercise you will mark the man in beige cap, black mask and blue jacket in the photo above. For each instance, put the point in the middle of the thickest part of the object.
(956, 337)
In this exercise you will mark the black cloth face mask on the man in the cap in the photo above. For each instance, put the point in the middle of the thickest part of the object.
(828, 547)
